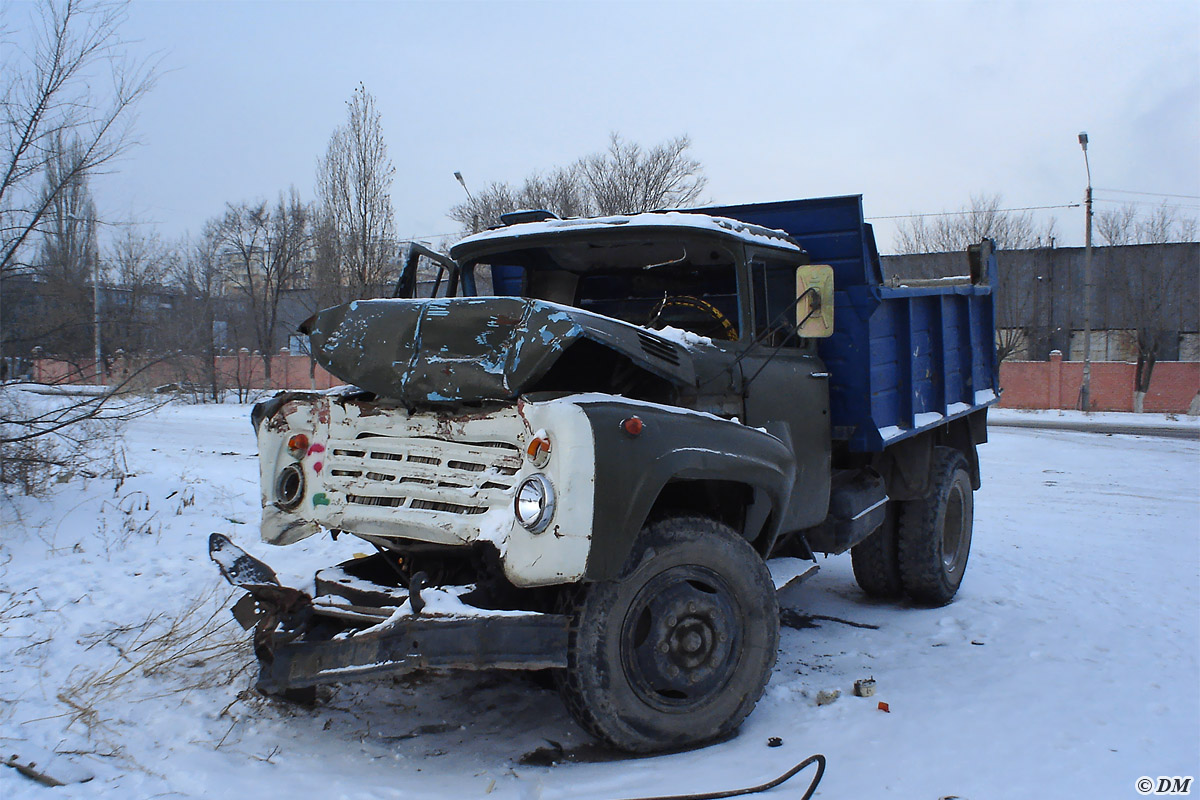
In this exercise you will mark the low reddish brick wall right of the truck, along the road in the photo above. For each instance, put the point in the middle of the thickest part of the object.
(1055, 384)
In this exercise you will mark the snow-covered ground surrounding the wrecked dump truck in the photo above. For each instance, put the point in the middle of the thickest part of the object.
(1069, 665)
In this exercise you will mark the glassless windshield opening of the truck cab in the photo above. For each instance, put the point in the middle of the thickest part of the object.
(687, 284)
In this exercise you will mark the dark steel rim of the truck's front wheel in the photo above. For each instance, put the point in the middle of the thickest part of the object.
(681, 639)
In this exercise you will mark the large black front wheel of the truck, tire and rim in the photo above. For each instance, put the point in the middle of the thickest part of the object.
(677, 651)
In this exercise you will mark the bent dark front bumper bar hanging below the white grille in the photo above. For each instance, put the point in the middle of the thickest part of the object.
(293, 653)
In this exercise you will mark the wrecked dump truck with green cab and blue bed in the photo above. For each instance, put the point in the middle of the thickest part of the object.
(574, 444)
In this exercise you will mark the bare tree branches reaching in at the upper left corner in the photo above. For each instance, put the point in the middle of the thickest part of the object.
(49, 95)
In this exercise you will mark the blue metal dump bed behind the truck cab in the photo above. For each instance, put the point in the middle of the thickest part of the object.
(902, 359)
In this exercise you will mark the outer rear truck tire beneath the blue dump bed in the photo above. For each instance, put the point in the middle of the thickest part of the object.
(934, 536)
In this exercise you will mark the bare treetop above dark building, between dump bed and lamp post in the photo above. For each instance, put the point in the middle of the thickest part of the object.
(985, 219)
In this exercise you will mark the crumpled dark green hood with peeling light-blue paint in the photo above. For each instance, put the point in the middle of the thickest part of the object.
(471, 348)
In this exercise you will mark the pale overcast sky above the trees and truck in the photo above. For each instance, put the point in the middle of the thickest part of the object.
(916, 106)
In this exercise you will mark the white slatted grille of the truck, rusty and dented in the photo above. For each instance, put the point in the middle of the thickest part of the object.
(423, 474)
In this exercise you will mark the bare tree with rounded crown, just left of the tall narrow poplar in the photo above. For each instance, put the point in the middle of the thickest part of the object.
(263, 251)
